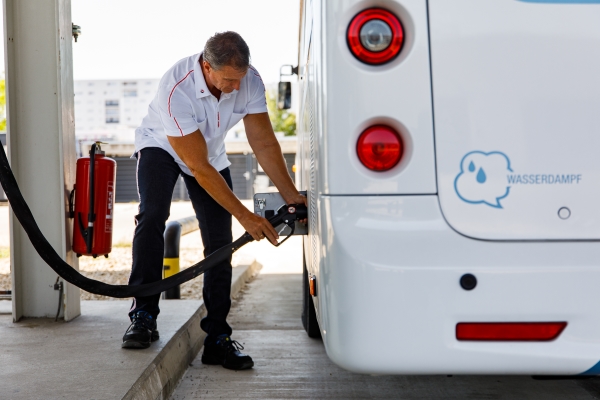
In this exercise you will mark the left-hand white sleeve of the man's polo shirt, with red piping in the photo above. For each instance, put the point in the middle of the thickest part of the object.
(176, 111)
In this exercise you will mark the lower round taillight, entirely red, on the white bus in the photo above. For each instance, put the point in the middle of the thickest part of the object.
(379, 148)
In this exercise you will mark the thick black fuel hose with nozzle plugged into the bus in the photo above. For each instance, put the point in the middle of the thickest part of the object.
(286, 214)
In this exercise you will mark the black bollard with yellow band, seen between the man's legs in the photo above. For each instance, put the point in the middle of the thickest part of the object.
(173, 232)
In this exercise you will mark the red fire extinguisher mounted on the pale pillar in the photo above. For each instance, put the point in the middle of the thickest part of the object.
(94, 204)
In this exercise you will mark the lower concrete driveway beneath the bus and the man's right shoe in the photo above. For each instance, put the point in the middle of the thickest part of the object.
(288, 364)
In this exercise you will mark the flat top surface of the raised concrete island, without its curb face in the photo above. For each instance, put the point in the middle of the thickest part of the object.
(81, 359)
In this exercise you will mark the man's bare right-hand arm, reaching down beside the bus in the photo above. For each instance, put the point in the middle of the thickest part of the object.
(268, 153)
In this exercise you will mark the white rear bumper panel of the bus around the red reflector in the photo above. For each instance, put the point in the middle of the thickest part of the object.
(390, 296)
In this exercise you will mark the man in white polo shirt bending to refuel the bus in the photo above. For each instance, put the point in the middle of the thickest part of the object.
(199, 99)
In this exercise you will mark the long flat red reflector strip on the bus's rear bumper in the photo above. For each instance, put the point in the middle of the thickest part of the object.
(503, 331)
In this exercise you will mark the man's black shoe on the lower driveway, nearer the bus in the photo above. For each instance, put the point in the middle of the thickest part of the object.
(226, 352)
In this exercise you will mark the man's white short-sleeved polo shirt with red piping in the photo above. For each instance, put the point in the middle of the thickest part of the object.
(183, 104)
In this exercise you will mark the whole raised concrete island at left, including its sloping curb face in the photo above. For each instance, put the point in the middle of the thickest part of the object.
(83, 359)
